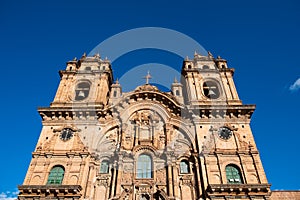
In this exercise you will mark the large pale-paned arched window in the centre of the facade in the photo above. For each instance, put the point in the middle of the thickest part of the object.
(144, 166)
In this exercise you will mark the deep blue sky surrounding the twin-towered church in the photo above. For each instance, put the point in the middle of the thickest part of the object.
(260, 39)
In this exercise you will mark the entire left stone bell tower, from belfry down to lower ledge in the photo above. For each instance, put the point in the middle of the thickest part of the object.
(62, 164)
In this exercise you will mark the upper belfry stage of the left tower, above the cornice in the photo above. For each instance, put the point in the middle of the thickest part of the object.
(85, 81)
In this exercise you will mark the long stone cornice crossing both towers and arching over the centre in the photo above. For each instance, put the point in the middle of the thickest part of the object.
(200, 113)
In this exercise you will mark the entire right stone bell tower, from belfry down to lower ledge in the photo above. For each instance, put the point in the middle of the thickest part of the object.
(229, 159)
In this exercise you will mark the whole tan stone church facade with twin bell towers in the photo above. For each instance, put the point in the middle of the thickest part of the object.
(99, 143)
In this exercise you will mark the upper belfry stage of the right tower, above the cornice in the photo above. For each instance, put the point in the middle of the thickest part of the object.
(208, 80)
